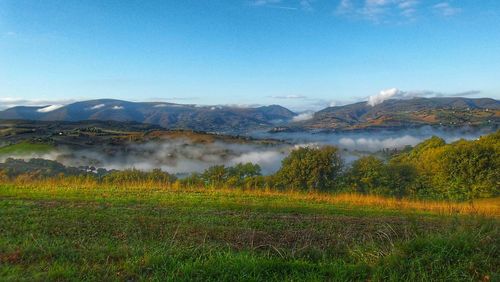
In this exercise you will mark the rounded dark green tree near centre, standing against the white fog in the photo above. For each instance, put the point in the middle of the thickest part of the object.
(310, 169)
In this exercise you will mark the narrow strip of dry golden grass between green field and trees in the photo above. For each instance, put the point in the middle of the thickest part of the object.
(485, 207)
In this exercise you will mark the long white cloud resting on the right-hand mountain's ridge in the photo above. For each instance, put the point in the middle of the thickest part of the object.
(395, 93)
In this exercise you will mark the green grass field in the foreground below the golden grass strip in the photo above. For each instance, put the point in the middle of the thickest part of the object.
(126, 234)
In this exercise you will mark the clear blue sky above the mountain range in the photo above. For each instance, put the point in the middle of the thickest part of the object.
(298, 53)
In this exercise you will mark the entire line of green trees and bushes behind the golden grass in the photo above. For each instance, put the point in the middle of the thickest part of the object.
(462, 170)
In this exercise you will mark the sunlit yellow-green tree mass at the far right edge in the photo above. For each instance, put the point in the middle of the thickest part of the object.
(463, 170)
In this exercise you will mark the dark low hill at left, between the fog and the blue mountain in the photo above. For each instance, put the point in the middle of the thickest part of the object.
(101, 134)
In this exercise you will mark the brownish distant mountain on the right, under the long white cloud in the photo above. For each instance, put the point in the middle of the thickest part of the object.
(449, 112)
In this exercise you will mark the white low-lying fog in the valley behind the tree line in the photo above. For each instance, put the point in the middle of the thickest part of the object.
(182, 156)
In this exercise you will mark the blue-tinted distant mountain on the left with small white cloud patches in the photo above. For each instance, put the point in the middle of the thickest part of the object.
(168, 115)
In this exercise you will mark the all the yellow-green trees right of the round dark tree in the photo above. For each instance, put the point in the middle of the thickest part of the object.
(463, 170)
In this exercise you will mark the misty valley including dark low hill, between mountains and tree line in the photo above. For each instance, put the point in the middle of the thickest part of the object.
(121, 145)
